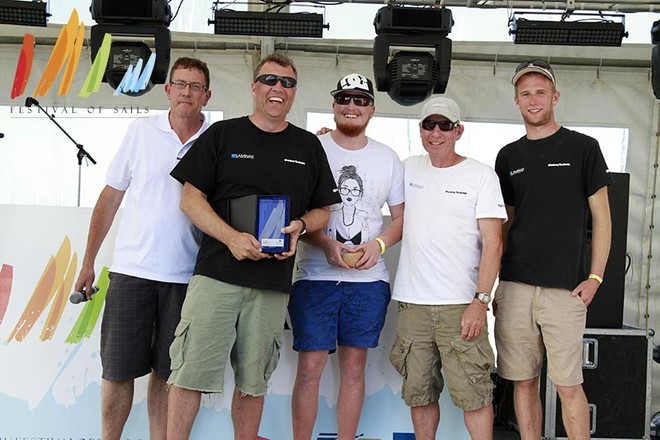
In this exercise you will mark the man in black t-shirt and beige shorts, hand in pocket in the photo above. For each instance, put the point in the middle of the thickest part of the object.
(551, 178)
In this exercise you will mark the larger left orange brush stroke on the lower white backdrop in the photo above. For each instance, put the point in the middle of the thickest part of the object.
(51, 279)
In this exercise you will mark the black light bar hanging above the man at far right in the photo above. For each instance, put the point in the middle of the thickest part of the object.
(592, 30)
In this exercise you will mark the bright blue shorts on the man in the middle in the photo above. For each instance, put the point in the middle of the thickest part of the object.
(325, 314)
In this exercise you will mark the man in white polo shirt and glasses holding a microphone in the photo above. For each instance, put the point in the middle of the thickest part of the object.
(154, 254)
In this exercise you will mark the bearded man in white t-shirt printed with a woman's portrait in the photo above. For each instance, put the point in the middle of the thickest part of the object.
(341, 285)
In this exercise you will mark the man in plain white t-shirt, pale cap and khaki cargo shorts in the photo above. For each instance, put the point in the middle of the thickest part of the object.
(450, 256)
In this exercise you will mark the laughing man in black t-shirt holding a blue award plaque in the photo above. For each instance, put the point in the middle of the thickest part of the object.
(237, 299)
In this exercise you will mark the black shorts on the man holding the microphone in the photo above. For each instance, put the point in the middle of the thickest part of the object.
(138, 326)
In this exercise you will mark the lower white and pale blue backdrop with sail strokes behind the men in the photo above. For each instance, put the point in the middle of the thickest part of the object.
(50, 370)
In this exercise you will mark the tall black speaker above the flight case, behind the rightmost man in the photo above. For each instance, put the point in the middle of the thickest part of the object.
(606, 310)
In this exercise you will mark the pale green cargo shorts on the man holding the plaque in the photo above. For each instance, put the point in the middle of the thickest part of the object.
(219, 320)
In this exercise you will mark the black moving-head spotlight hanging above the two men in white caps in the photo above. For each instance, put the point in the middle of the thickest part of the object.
(411, 77)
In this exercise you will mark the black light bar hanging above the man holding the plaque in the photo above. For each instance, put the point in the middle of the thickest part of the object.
(274, 24)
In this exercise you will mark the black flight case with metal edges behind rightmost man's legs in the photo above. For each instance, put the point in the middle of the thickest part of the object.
(616, 366)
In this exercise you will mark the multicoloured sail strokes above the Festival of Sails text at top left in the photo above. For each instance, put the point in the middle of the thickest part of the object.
(65, 57)
